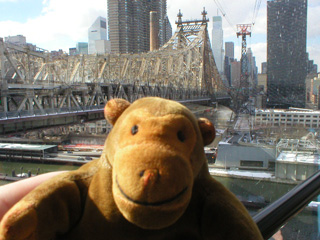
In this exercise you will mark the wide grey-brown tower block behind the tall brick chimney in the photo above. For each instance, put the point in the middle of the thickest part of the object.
(128, 24)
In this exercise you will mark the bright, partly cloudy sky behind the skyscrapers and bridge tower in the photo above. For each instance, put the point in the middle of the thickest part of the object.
(60, 24)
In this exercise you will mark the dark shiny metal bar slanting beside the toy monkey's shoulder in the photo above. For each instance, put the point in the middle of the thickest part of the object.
(274, 216)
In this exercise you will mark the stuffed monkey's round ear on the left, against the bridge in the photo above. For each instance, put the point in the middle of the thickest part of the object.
(114, 108)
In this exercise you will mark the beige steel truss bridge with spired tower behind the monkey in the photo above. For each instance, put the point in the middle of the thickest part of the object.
(40, 89)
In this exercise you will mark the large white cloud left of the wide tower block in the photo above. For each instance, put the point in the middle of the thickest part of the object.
(61, 24)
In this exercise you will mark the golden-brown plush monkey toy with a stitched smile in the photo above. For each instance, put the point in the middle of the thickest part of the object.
(151, 182)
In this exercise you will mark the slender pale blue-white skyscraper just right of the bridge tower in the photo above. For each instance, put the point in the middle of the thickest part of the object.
(217, 42)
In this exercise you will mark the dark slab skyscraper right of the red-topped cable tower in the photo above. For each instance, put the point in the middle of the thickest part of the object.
(287, 58)
